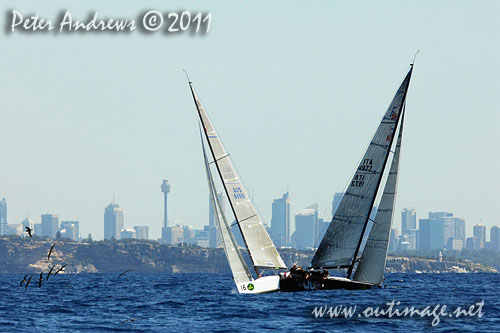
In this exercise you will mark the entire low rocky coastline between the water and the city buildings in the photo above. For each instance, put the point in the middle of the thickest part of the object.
(22, 256)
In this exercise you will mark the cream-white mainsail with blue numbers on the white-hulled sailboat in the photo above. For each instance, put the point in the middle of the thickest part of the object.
(260, 246)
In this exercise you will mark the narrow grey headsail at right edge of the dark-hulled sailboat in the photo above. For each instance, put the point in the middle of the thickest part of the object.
(372, 263)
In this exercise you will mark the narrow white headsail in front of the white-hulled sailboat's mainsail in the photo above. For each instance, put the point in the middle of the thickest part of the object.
(240, 270)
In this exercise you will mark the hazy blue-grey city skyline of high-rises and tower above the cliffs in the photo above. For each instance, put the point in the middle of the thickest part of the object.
(312, 227)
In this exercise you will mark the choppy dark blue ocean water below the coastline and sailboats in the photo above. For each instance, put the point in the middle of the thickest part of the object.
(202, 302)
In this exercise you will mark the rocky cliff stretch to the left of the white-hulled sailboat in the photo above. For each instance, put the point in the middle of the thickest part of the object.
(30, 256)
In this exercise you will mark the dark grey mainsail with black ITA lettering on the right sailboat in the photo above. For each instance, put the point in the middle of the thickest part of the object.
(342, 240)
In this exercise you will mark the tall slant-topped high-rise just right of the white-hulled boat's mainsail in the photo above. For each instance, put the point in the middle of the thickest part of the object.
(280, 221)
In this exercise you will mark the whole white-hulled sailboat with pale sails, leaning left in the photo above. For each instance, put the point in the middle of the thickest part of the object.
(261, 249)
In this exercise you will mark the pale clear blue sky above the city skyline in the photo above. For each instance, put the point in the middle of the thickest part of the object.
(296, 91)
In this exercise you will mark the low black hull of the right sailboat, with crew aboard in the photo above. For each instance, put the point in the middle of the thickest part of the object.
(293, 284)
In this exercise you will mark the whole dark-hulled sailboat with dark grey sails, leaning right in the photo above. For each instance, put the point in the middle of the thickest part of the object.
(341, 245)
